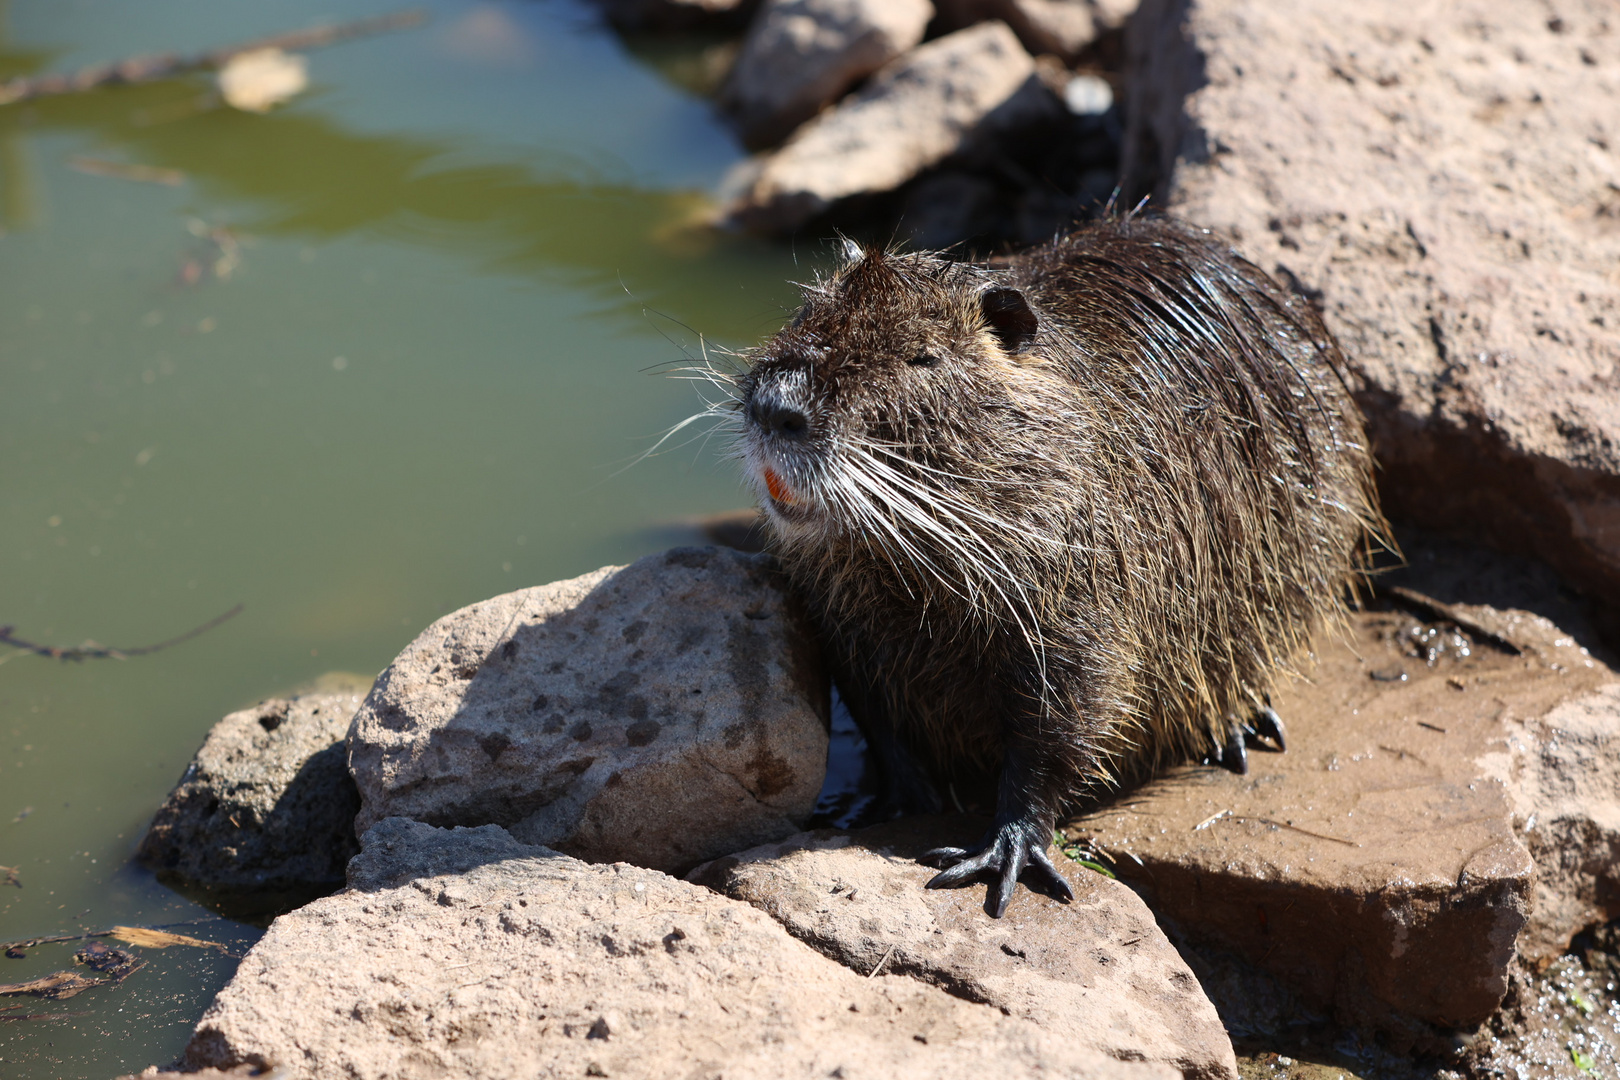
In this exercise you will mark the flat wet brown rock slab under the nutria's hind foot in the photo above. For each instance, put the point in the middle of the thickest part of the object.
(1383, 867)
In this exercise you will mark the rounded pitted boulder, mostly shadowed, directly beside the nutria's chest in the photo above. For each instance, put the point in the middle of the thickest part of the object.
(659, 715)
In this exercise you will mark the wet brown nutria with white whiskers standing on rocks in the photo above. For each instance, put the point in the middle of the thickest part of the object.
(1064, 521)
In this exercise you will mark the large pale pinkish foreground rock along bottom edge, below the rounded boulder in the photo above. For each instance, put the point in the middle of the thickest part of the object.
(467, 955)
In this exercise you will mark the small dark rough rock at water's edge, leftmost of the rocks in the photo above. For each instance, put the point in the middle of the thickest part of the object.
(265, 814)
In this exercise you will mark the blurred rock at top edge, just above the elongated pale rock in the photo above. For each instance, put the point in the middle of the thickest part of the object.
(801, 56)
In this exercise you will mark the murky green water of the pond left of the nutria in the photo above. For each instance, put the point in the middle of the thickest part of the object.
(369, 359)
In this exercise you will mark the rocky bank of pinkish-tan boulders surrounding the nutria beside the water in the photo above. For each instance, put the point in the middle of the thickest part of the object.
(1430, 869)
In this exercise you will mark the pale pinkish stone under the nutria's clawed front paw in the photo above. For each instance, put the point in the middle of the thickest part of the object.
(1098, 969)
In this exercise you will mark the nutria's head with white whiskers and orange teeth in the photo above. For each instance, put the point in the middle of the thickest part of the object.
(898, 372)
